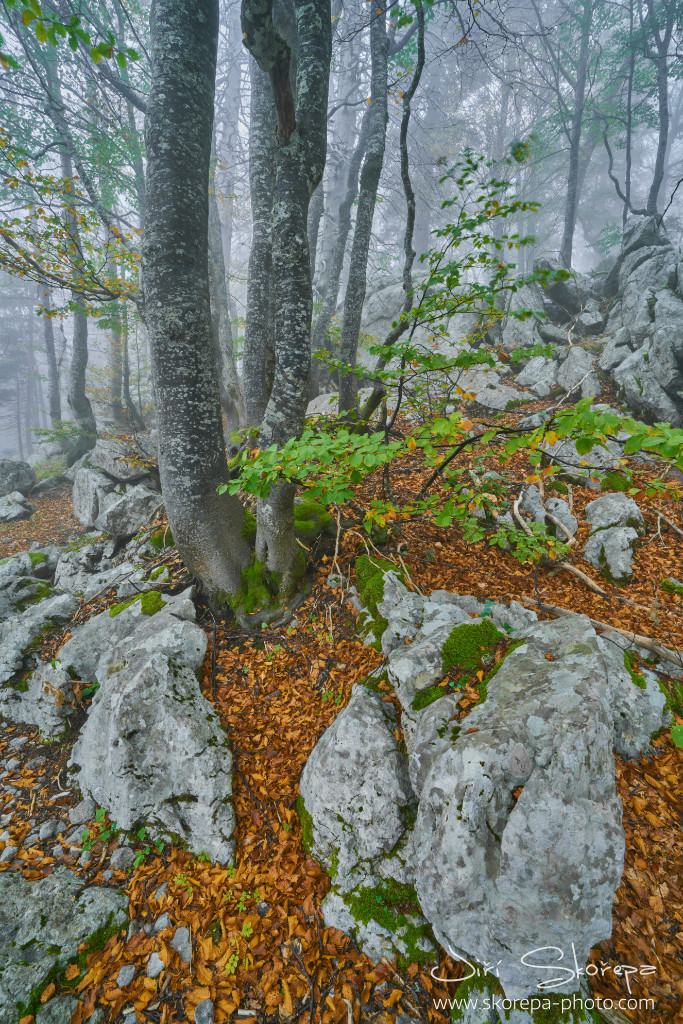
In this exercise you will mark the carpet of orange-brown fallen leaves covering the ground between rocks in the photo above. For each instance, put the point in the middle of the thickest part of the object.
(261, 949)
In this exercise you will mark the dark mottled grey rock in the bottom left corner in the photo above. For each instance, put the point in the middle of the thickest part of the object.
(56, 915)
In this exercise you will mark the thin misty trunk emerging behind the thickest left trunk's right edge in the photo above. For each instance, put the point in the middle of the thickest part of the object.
(229, 383)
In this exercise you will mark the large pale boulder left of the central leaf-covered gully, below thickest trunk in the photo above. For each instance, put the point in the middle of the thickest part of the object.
(154, 753)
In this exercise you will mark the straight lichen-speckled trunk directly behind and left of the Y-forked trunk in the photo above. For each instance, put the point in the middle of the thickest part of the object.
(259, 326)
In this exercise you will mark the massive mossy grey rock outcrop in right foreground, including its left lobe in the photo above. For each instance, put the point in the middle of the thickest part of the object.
(519, 842)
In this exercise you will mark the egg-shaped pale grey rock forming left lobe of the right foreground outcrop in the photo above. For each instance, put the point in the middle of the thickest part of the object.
(356, 787)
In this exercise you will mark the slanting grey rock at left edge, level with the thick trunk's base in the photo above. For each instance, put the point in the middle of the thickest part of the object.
(20, 634)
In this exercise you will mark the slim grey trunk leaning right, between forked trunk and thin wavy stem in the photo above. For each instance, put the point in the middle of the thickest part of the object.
(370, 180)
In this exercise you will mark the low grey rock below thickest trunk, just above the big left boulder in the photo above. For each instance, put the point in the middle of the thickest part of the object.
(106, 645)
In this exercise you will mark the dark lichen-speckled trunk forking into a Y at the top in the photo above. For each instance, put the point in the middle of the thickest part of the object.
(302, 148)
